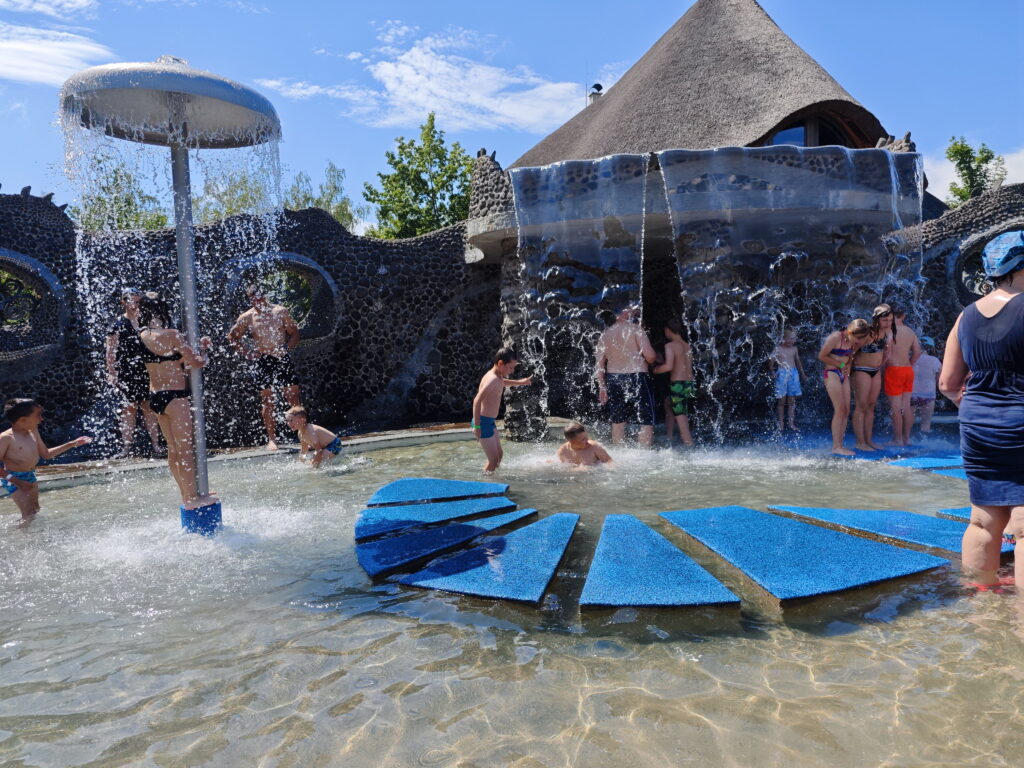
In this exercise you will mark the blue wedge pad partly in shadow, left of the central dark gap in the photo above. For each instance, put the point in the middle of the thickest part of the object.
(516, 567)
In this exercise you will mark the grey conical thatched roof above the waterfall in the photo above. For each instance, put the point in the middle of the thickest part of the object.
(726, 75)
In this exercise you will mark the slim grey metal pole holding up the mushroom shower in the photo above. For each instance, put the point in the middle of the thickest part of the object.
(190, 305)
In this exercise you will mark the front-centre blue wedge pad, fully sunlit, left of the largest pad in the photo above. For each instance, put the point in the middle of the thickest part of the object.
(635, 566)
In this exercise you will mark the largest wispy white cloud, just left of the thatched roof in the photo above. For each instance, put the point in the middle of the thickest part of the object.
(429, 75)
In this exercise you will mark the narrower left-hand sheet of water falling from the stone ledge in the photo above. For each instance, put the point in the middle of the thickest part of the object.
(580, 244)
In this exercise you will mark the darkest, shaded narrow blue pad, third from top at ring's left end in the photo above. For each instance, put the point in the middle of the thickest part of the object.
(385, 556)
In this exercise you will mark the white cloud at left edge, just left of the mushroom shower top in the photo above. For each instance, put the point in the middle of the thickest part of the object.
(31, 55)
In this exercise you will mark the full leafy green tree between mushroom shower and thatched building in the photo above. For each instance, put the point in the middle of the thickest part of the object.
(428, 190)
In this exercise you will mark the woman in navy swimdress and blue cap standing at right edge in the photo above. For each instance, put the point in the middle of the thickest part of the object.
(984, 373)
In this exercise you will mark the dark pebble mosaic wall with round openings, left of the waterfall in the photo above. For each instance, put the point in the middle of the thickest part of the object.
(399, 334)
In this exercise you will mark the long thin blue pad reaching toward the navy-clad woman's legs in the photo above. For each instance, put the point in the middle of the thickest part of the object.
(895, 525)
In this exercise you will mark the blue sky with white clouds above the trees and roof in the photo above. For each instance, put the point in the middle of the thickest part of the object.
(349, 77)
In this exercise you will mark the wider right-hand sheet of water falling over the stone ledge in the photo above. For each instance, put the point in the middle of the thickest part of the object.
(783, 236)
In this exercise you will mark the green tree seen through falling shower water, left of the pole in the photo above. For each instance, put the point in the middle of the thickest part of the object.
(116, 200)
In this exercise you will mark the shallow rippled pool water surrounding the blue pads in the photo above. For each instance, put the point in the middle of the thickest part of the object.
(124, 642)
